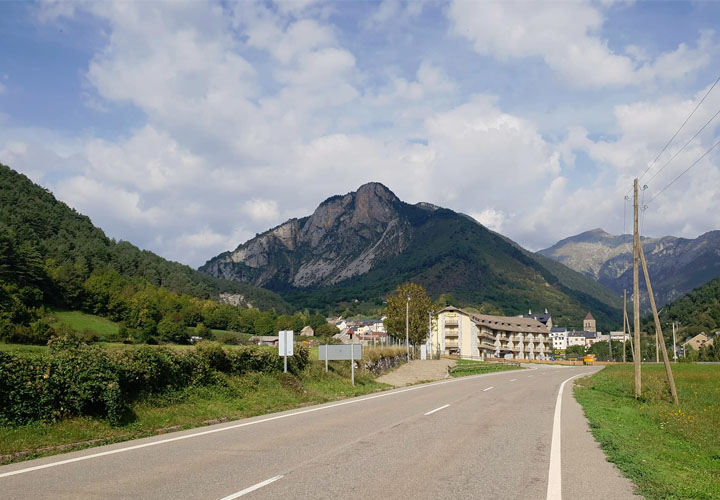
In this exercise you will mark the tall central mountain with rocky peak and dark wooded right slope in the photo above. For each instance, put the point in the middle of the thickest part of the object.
(359, 246)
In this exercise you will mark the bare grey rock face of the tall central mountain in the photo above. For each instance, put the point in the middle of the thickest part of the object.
(344, 237)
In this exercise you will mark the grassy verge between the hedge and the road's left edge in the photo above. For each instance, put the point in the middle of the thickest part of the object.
(235, 397)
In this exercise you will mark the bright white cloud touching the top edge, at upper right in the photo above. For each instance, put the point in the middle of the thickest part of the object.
(566, 35)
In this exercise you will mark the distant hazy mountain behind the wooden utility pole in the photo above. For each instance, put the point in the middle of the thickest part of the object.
(676, 265)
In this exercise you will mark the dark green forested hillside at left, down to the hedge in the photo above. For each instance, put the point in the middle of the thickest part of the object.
(50, 255)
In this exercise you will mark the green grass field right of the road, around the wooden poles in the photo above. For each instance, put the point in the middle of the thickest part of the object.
(670, 452)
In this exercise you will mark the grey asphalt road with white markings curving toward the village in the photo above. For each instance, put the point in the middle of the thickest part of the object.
(487, 436)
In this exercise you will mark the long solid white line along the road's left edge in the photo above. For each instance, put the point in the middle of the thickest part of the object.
(244, 424)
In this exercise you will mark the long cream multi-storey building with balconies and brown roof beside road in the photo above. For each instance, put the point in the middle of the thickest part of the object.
(481, 336)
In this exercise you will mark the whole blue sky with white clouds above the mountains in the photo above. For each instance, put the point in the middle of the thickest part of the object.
(186, 128)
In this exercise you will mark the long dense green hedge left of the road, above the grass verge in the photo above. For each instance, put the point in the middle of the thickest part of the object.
(74, 380)
